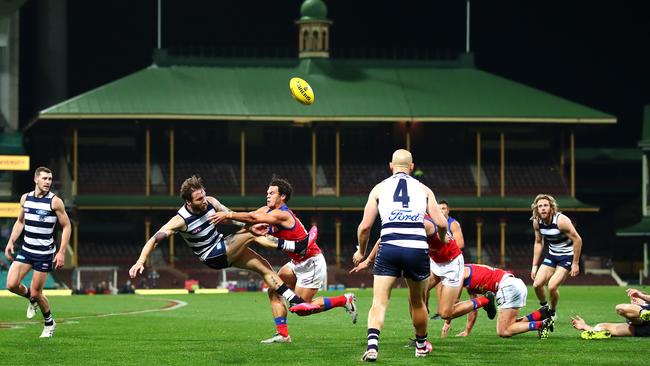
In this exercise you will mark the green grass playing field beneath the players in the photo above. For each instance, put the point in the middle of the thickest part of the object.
(227, 329)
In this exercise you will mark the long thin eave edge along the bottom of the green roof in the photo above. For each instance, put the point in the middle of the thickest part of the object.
(442, 119)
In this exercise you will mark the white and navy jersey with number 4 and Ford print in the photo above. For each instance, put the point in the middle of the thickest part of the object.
(402, 205)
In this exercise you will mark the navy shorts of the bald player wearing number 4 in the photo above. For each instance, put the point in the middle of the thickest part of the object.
(396, 261)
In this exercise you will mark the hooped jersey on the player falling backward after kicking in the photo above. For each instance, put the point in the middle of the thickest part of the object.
(200, 235)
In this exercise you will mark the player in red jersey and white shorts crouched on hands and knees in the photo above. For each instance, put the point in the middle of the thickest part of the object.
(511, 294)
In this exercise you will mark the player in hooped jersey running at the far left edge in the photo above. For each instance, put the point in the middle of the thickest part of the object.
(41, 210)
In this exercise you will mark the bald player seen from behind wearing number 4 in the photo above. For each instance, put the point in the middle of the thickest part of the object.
(401, 201)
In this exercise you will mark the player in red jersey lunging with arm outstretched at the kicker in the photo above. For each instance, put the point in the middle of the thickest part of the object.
(306, 272)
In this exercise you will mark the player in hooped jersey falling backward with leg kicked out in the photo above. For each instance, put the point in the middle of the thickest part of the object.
(215, 249)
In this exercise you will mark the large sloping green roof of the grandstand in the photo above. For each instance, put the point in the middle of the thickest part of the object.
(346, 90)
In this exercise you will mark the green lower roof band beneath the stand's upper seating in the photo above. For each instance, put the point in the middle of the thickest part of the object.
(322, 203)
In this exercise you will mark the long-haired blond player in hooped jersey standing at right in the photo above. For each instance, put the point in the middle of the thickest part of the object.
(564, 249)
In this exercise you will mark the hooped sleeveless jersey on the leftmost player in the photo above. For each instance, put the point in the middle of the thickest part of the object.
(40, 221)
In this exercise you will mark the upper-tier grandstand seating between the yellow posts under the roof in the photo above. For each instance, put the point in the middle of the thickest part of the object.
(221, 178)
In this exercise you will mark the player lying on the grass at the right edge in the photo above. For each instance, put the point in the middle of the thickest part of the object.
(636, 314)
